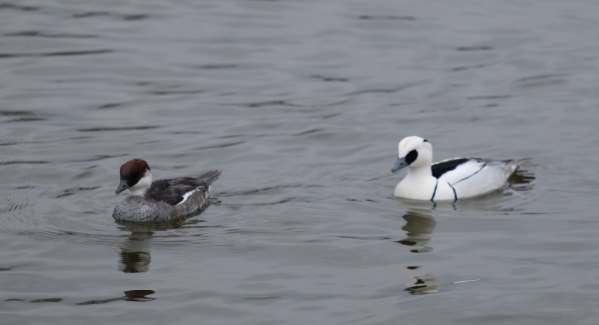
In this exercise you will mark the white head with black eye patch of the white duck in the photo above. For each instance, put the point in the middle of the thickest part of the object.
(413, 152)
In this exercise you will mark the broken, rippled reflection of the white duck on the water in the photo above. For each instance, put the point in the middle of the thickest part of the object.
(419, 230)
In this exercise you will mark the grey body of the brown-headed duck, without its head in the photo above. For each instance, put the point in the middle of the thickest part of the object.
(151, 208)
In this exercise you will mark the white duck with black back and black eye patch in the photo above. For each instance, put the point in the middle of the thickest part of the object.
(447, 180)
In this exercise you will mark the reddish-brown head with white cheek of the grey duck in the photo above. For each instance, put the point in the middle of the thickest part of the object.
(135, 176)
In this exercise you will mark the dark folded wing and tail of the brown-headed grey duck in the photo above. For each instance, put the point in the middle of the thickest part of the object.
(175, 190)
